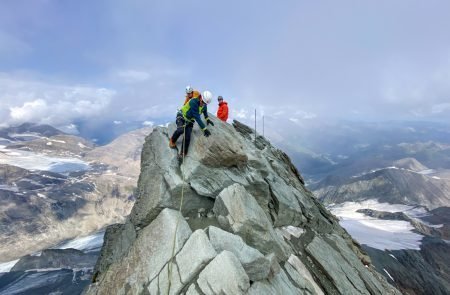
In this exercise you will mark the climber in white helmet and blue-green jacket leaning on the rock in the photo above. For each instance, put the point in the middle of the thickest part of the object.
(187, 116)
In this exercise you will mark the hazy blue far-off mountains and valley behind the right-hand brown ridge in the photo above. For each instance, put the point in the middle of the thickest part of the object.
(348, 148)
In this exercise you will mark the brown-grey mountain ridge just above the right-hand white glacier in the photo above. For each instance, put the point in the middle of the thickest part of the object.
(392, 184)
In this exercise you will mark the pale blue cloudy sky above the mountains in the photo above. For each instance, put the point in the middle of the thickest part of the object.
(65, 61)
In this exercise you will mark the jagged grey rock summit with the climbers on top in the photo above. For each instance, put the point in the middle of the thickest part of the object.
(234, 218)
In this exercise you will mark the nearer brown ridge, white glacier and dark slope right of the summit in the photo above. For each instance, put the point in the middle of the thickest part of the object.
(420, 237)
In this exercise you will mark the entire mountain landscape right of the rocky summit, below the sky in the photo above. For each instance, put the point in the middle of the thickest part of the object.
(390, 187)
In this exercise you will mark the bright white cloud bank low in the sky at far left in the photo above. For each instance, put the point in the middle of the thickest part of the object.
(25, 100)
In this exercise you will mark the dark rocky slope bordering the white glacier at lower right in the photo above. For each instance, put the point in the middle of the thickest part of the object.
(423, 271)
